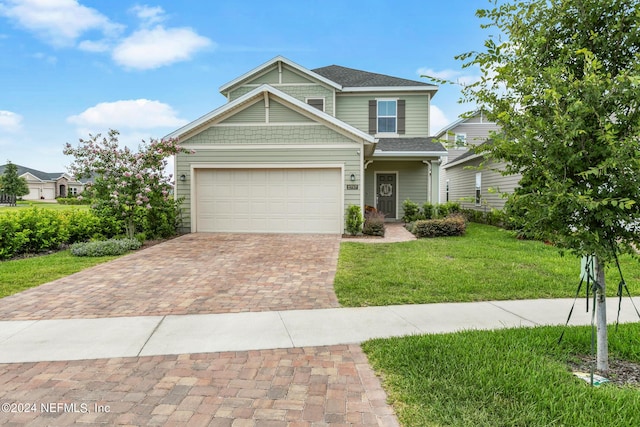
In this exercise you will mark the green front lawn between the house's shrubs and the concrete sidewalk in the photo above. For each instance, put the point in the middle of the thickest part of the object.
(487, 263)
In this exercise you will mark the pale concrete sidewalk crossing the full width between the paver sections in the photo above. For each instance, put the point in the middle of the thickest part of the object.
(78, 339)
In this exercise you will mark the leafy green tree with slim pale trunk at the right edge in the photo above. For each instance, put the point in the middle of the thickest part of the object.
(562, 78)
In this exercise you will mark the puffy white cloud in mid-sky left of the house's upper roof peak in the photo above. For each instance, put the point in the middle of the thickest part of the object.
(157, 47)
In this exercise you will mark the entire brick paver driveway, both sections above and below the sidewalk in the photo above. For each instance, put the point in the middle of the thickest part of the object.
(197, 274)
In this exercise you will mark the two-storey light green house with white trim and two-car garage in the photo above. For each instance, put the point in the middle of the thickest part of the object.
(293, 148)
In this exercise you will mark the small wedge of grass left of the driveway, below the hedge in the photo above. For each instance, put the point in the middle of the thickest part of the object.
(18, 275)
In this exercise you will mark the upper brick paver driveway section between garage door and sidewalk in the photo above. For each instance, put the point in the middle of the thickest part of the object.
(193, 274)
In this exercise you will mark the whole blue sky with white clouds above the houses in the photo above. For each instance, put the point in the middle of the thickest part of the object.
(74, 67)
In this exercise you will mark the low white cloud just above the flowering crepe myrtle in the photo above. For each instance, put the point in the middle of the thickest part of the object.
(139, 114)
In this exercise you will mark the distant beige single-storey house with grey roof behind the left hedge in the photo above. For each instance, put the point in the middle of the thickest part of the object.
(48, 186)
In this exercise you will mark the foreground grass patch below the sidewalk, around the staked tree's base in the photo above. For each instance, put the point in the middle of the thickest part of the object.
(514, 377)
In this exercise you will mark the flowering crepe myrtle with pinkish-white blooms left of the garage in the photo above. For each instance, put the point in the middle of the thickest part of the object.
(127, 182)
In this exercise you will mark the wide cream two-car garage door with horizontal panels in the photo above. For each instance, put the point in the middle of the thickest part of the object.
(269, 200)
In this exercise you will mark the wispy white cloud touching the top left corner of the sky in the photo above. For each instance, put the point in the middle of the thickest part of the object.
(58, 22)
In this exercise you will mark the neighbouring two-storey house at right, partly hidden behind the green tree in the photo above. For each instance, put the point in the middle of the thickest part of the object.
(466, 177)
